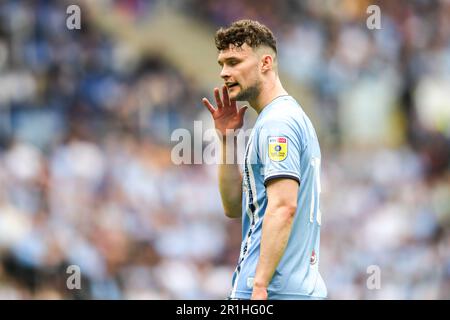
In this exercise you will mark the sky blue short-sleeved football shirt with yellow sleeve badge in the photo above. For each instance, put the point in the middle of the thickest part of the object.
(283, 144)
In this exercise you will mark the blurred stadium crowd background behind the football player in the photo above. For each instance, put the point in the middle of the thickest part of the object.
(85, 123)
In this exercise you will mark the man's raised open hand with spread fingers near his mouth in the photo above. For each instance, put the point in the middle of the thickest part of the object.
(226, 115)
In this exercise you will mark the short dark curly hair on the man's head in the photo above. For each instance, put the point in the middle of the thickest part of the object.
(250, 32)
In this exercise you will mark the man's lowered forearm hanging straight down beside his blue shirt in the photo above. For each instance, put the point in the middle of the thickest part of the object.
(276, 230)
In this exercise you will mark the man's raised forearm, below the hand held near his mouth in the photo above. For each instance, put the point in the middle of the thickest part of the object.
(230, 180)
